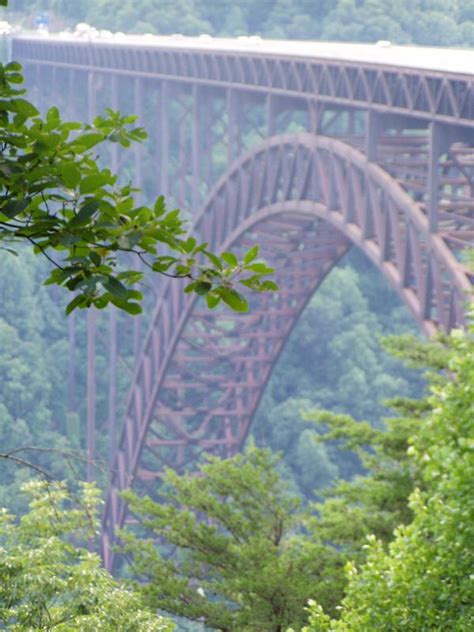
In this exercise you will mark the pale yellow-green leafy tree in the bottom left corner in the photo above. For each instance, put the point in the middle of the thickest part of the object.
(49, 582)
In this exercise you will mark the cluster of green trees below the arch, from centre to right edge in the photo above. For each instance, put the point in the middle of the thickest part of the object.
(413, 505)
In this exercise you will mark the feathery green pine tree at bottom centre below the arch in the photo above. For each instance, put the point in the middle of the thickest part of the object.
(240, 562)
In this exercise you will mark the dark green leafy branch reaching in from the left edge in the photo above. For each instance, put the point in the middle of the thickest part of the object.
(55, 197)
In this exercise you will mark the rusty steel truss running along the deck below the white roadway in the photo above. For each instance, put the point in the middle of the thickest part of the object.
(427, 94)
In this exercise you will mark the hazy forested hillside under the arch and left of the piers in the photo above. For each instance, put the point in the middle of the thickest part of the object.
(333, 360)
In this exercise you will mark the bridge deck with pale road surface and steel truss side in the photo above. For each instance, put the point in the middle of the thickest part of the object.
(438, 83)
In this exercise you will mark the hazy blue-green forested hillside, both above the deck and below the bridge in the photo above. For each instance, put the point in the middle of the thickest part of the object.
(333, 360)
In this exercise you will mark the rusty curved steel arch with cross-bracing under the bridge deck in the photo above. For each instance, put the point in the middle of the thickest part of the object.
(306, 199)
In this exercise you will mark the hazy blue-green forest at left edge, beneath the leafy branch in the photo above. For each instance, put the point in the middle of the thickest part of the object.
(33, 363)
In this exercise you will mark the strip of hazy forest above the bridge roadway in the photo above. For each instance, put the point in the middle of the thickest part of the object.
(424, 22)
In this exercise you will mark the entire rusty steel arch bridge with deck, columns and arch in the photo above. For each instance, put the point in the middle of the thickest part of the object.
(306, 155)
